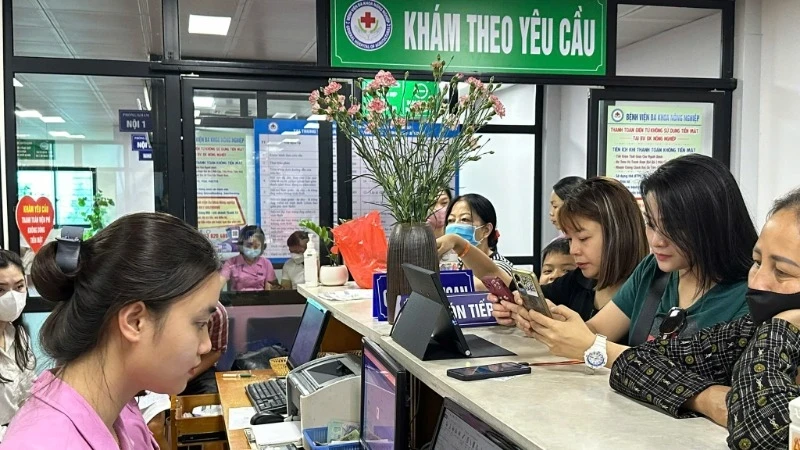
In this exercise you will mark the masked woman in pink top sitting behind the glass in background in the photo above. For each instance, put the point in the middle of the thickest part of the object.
(249, 271)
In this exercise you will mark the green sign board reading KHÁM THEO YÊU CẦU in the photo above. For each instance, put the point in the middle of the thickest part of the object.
(515, 36)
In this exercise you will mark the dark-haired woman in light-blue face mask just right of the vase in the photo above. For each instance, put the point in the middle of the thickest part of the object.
(472, 223)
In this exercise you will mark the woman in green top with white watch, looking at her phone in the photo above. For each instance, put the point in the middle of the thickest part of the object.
(701, 236)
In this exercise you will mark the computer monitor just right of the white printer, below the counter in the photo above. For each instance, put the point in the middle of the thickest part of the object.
(384, 400)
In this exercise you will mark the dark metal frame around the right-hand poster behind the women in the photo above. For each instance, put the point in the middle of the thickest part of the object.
(722, 119)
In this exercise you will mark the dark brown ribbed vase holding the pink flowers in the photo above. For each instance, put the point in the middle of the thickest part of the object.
(408, 243)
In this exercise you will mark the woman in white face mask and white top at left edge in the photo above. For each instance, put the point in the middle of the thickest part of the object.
(16, 358)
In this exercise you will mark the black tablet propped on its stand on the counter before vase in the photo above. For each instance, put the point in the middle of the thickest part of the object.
(419, 329)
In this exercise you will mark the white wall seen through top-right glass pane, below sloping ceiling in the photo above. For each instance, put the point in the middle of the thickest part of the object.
(692, 50)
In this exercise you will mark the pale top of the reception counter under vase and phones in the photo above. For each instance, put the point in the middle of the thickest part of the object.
(555, 407)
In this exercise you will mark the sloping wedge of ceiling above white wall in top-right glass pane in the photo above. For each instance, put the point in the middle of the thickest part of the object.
(636, 23)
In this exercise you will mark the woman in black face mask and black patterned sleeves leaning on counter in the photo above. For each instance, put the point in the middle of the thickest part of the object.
(741, 374)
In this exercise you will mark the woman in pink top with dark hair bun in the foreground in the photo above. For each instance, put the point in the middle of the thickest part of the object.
(121, 325)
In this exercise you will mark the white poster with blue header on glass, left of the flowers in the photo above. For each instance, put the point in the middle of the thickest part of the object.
(287, 182)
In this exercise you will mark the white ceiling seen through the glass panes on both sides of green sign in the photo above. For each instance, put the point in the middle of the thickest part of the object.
(131, 30)
